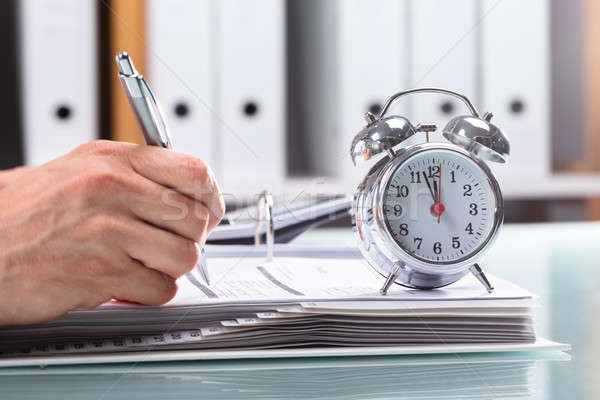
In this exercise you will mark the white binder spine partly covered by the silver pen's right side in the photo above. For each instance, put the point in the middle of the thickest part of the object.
(181, 71)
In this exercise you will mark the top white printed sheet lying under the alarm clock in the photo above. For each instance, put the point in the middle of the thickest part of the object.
(308, 280)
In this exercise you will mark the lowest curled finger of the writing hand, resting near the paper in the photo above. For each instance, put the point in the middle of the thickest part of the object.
(144, 285)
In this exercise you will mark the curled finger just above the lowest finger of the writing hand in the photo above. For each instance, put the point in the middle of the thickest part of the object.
(159, 249)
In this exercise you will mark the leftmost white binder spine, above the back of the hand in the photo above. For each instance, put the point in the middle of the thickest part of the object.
(58, 76)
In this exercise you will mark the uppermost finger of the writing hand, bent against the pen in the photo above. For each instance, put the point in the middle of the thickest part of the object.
(186, 174)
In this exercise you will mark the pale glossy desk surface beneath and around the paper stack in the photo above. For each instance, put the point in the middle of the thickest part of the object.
(559, 262)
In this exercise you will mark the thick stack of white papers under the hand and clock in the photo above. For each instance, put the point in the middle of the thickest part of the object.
(302, 298)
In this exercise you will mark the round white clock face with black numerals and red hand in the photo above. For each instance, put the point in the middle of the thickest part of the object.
(439, 206)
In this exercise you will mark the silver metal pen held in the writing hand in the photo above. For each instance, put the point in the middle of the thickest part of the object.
(149, 117)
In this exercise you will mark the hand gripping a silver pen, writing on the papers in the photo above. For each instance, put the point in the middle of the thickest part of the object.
(108, 220)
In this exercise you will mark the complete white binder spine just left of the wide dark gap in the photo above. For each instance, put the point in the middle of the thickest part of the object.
(251, 94)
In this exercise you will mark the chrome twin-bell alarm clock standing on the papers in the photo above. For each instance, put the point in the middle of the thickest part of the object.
(426, 213)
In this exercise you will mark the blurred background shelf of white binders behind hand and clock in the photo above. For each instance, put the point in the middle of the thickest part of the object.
(271, 92)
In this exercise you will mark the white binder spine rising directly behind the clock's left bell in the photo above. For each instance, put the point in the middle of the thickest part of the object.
(372, 64)
